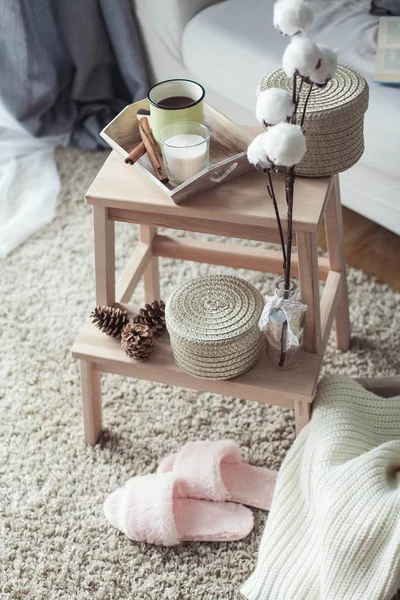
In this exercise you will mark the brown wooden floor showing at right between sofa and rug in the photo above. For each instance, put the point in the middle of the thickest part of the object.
(370, 247)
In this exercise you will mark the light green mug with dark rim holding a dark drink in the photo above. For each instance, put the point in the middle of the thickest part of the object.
(173, 101)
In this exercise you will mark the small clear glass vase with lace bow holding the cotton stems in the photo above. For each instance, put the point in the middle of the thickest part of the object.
(284, 329)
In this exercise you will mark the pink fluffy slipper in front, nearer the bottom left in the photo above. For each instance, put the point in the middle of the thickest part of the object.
(153, 509)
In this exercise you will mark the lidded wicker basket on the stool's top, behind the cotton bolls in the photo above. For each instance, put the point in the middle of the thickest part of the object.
(334, 123)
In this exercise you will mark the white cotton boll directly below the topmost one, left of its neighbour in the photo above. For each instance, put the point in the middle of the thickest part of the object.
(302, 57)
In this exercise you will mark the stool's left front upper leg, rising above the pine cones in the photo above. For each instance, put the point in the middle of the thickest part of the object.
(104, 256)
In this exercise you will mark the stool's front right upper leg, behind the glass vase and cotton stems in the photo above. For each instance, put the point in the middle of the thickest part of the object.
(309, 289)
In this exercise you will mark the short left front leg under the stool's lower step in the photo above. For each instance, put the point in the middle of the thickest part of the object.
(91, 402)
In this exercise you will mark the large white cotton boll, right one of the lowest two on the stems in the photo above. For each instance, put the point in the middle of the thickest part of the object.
(284, 144)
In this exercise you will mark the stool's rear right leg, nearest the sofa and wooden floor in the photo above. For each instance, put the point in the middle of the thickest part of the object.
(334, 238)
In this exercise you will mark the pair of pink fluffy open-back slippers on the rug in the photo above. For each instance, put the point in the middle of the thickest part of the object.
(196, 495)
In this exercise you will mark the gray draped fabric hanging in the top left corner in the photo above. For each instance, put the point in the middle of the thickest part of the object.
(69, 65)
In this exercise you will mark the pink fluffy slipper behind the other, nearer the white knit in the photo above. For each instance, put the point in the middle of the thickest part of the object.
(214, 471)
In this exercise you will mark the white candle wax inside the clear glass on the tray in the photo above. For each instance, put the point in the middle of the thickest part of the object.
(185, 156)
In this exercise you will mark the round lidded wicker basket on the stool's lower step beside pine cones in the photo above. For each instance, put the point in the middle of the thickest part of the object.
(213, 326)
